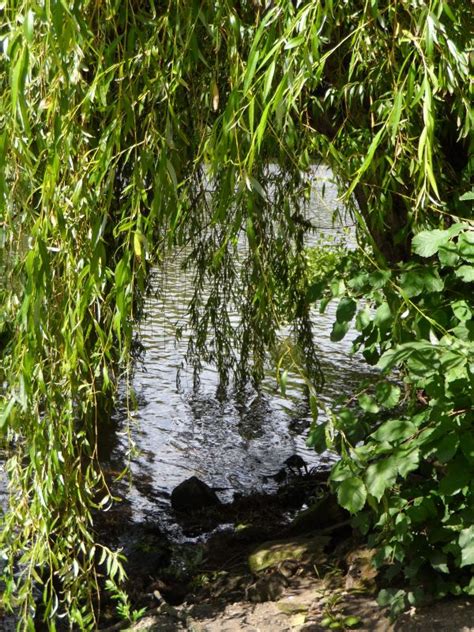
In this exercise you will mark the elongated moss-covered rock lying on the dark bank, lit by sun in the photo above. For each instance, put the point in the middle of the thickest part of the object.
(272, 553)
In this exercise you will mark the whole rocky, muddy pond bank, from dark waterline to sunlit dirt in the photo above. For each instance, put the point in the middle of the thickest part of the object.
(268, 562)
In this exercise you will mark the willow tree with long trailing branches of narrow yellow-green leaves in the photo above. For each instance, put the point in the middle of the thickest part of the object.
(128, 128)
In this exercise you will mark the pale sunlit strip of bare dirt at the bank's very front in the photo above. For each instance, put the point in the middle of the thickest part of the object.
(303, 608)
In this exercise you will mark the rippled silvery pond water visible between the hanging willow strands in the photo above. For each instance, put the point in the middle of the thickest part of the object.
(234, 444)
